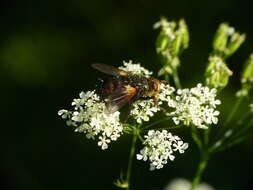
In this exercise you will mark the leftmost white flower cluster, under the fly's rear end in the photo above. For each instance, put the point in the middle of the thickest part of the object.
(91, 117)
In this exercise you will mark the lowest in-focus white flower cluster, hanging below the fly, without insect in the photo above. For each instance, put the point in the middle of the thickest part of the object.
(159, 147)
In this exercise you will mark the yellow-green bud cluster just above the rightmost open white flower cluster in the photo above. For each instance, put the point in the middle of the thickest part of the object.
(217, 73)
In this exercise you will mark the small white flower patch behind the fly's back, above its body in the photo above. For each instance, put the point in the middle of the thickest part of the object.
(135, 68)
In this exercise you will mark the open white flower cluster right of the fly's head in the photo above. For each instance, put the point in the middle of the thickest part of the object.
(196, 106)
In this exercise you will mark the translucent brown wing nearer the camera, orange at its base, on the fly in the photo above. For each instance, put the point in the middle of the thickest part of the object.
(120, 97)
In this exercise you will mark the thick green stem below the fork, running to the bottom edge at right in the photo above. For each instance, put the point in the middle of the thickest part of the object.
(201, 167)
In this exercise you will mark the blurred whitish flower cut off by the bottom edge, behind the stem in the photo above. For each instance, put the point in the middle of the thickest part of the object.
(183, 184)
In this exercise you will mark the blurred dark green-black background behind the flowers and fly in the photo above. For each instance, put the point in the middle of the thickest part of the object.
(46, 48)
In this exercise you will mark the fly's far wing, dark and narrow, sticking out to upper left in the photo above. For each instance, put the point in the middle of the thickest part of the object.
(109, 69)
